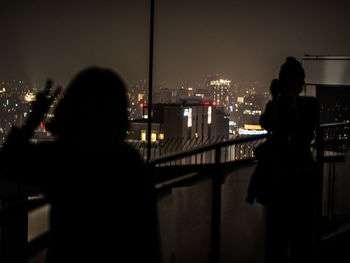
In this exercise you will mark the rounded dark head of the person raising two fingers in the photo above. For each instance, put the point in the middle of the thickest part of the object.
(94, 109)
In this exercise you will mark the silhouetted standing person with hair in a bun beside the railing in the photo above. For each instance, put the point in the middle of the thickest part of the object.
(287, 167)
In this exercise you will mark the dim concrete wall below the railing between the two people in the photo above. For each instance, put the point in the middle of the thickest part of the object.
(185, 215)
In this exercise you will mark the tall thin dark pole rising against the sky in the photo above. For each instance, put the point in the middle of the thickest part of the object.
(150, 81)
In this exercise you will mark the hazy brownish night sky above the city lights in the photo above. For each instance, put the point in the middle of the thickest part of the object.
(245, 40)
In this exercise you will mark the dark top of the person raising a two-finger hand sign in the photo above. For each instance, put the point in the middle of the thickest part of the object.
(103, 205)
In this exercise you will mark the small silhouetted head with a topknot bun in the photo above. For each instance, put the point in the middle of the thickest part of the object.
(291, 76)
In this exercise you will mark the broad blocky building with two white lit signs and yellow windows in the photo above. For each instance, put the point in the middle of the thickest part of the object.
(197, 121)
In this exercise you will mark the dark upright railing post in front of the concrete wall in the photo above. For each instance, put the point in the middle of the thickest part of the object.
(216, 209)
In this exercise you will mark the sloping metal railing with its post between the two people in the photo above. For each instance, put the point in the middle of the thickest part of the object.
(212, 157)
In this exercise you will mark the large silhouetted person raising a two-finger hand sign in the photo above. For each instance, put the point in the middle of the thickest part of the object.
(103, 207)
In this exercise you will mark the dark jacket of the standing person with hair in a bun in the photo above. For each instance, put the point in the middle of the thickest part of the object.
(285, 163)
